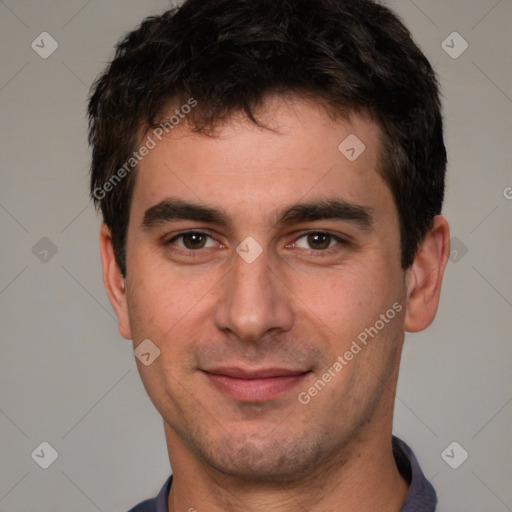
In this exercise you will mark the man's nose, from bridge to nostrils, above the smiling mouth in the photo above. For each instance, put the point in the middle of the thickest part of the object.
(253, 300)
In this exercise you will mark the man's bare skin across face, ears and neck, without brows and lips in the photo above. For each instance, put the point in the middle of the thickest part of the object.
(293, 307)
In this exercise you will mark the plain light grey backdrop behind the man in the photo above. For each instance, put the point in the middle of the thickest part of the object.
(68, 378)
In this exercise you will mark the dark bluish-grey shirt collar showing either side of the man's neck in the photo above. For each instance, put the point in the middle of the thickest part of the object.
(420, 498)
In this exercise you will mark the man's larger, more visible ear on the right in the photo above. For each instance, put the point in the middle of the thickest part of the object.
(424, 277)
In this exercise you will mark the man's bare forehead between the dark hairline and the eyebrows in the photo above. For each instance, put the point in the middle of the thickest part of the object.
(244, 169)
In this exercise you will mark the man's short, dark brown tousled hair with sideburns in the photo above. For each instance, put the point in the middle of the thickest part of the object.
(229, 55)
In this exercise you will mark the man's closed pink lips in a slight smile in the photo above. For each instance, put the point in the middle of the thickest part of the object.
(254, 385)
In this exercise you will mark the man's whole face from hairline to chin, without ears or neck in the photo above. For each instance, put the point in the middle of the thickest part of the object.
(244, 336)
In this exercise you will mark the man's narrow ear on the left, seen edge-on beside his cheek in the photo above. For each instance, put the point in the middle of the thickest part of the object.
(114, 282)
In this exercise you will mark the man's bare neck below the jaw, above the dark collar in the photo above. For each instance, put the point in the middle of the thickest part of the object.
(362, 476)
